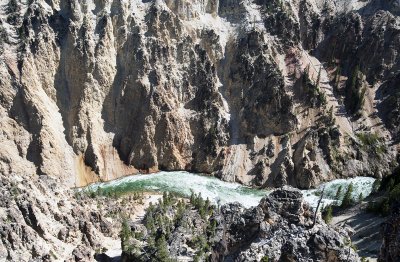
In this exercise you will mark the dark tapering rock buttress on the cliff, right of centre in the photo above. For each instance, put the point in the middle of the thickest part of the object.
(255, 91)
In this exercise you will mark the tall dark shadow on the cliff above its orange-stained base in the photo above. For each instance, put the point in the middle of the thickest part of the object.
(127, 105)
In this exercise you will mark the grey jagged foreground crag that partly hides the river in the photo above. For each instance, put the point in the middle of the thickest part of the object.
(280, 228)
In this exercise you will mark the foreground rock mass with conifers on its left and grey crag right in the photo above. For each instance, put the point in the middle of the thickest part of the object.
(280, 228)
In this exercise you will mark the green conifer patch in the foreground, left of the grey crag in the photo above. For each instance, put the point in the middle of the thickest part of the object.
(163, 221)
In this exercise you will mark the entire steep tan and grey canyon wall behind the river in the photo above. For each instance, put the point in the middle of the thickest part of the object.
(109, 88)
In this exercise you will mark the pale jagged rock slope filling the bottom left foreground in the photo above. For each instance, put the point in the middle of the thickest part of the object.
(41, 221)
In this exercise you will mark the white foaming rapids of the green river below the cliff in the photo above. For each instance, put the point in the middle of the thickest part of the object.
(218, 191)
